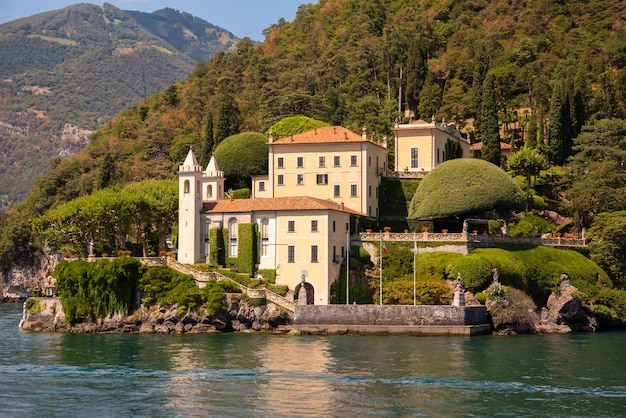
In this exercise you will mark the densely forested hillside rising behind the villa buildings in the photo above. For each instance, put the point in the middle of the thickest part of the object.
(543, 69)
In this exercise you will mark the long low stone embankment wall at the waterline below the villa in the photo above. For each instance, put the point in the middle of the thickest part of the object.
(428, 315)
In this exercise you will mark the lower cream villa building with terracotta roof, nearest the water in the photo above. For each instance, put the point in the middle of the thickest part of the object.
(298, 237)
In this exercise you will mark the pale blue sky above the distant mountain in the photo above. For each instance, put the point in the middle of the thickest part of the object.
(241, 17)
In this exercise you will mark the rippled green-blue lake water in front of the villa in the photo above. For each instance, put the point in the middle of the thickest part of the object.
(250, 375)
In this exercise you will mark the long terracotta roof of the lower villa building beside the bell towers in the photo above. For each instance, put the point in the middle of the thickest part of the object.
(274, 203)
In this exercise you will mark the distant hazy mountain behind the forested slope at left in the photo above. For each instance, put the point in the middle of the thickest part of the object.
(64, 73)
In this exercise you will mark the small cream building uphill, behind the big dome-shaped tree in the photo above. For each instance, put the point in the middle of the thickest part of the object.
(420, 146)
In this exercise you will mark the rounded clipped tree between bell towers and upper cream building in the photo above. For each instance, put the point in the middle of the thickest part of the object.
(242, 156)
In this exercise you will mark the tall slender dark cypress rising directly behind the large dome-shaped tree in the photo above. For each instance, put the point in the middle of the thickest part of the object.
(489, 127)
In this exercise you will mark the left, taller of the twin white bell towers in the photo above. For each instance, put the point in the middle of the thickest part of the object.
(189, 207)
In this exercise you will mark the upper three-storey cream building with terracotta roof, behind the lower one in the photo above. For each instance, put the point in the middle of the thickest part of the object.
(328, 163)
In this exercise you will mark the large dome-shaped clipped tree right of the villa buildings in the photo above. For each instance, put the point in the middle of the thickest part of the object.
(464, 187)
